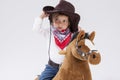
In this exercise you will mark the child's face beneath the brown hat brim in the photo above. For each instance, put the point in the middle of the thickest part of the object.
(60, 22)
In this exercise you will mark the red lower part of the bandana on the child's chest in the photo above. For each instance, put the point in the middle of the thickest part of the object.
(62, 44)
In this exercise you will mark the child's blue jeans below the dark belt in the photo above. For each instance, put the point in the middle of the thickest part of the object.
(49, 72)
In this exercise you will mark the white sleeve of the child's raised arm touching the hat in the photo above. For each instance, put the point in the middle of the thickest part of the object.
(39, 28)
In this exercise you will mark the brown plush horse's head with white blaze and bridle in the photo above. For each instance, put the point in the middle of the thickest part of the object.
(83, 48)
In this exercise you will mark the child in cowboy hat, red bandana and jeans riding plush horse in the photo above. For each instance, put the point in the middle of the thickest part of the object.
(64, 24)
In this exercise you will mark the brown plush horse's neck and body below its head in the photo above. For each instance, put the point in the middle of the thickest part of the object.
(74, 68)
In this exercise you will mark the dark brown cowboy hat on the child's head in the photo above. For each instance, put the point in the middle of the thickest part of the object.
(66, 8)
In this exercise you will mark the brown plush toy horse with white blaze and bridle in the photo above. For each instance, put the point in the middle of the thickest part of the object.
(78, 54)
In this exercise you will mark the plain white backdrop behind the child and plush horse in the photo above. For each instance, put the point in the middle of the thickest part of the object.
(23, 54)
